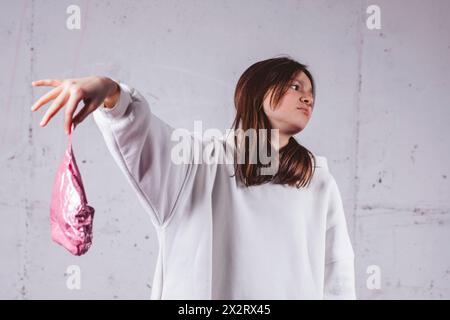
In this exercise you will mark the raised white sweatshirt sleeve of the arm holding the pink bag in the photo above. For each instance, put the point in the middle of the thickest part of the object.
(141, 145)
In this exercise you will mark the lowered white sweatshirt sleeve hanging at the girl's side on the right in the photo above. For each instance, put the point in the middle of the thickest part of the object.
(339, 282)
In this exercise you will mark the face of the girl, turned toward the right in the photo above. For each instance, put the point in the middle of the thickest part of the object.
(294, 110)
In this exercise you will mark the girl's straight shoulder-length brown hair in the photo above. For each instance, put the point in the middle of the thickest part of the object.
(296, 163)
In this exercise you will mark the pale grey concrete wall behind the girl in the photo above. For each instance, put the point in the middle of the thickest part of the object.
(381, 119)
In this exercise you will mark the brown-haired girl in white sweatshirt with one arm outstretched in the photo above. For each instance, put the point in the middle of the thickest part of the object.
(227, 231)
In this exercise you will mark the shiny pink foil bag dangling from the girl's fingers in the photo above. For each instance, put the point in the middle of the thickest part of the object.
(71, 217)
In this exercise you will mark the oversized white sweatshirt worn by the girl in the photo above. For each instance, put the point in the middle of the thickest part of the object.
(219, 240)
